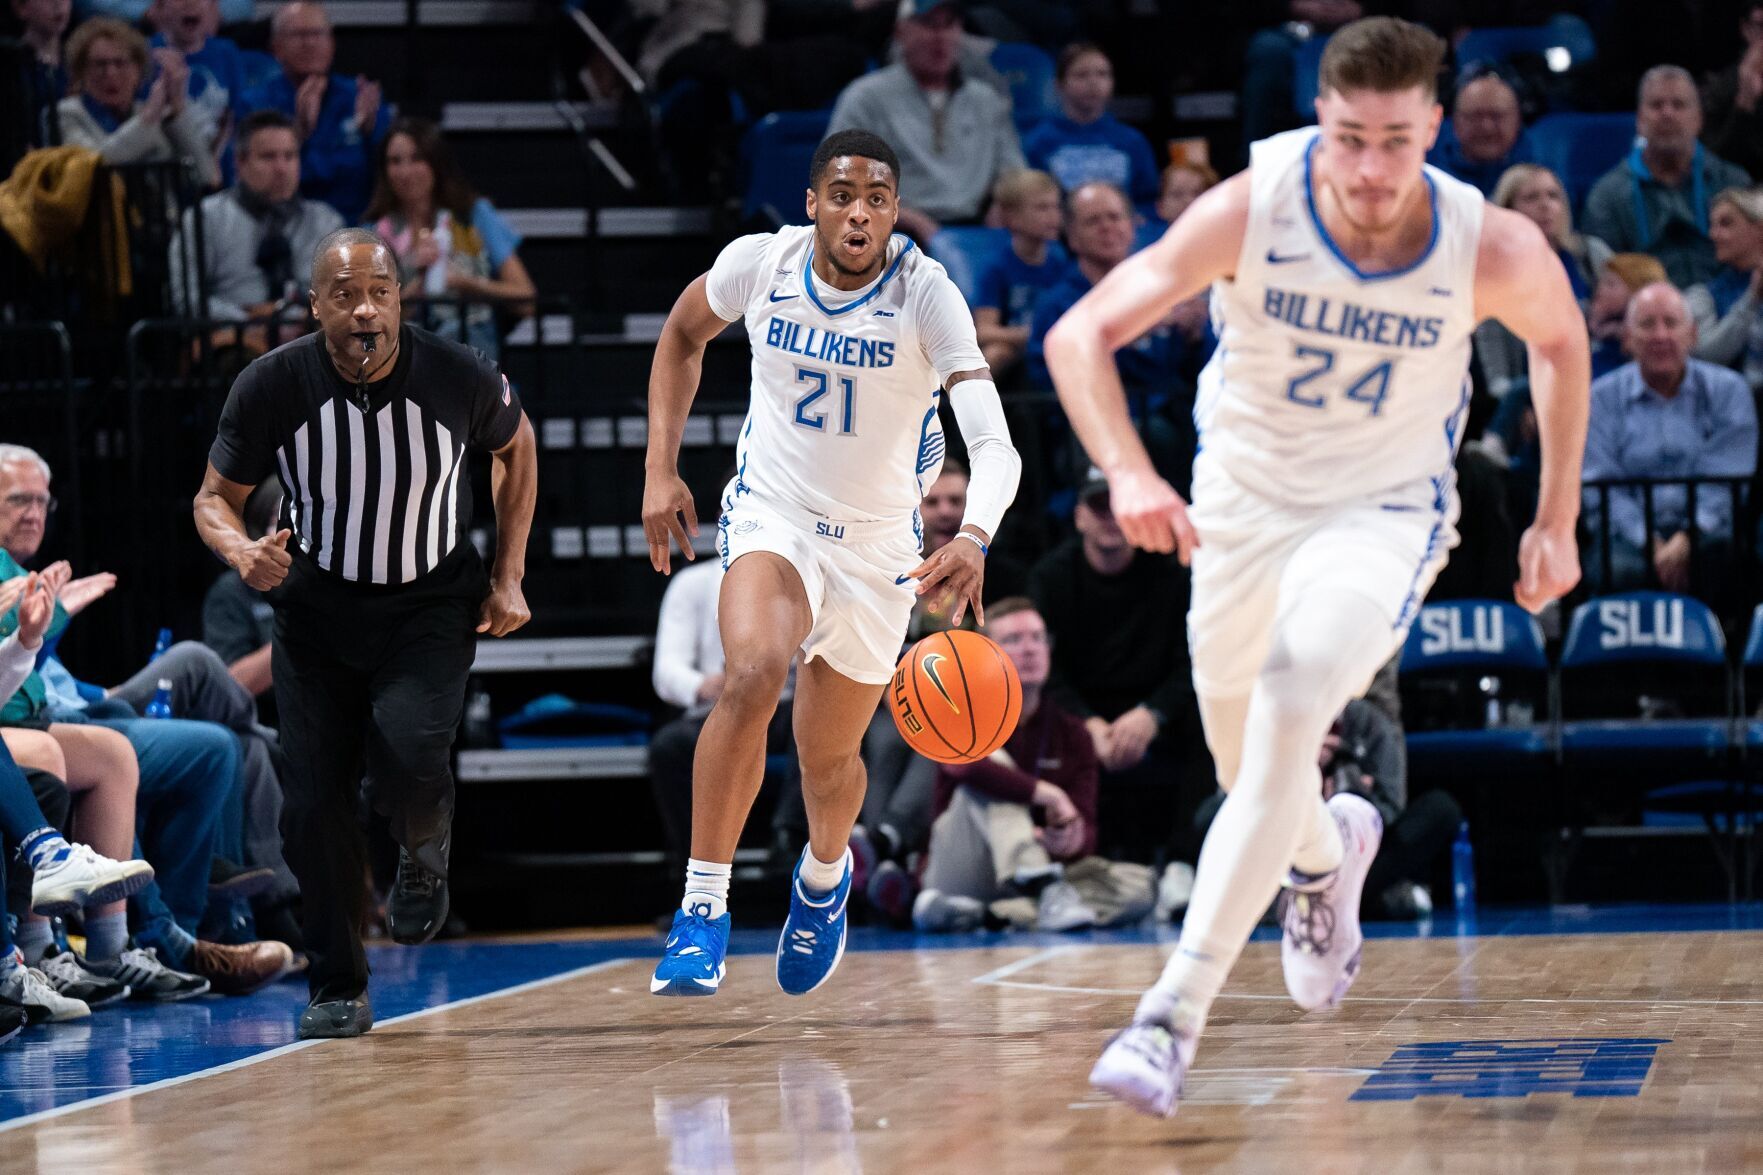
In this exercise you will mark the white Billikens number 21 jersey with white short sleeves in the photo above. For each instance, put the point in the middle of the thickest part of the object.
(845, 384)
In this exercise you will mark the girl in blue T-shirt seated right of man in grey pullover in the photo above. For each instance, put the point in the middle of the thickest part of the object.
(1087, 144)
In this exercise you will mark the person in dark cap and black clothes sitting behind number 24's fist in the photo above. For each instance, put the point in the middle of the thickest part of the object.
(1120, 662)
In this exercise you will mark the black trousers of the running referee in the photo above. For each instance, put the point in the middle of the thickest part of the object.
(368, 680)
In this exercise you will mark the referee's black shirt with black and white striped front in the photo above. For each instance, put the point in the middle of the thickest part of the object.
(375, 497)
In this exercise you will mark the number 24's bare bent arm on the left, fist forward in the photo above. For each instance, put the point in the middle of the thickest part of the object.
(1198, 250)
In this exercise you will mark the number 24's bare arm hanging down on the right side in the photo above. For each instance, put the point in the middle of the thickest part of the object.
(1522, 283)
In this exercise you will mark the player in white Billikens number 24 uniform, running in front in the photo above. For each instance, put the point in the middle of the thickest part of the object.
(1348, 280)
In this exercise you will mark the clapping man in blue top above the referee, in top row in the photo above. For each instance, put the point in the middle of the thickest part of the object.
(339, 121)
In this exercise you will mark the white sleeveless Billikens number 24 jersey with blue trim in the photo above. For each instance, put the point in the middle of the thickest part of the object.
(1330, 384)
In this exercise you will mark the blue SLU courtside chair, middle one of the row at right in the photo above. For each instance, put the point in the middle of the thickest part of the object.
(1672, 648)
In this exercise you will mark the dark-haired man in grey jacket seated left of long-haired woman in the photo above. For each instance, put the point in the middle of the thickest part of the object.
(257, 237)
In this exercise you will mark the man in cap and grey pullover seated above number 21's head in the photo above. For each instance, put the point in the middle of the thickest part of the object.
(953, 133)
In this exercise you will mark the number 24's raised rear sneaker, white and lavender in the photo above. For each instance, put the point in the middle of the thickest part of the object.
(1321, 917)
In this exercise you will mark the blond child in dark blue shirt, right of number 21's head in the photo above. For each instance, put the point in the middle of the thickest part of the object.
(1029, 202)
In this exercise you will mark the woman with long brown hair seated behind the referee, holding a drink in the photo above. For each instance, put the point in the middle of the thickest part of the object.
(450, 241)
